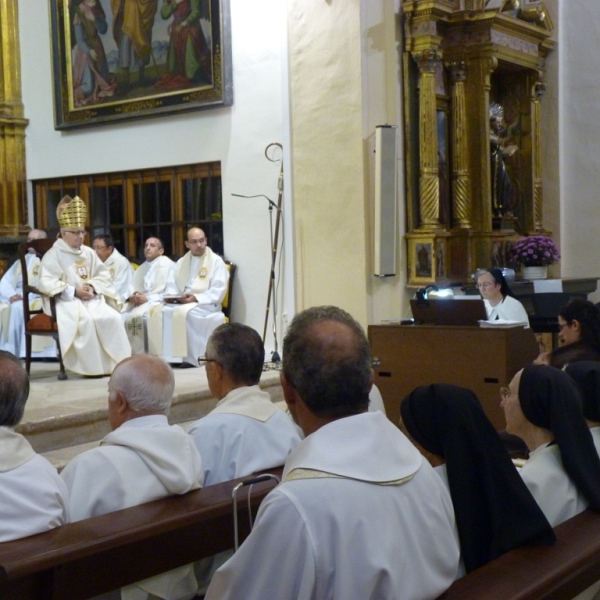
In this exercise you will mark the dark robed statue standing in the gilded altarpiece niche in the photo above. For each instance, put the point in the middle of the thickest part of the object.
(500, 151)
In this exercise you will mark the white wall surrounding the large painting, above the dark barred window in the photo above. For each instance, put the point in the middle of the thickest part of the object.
(236, 136)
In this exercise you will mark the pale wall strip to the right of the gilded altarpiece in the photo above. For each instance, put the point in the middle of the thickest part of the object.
(579, 137)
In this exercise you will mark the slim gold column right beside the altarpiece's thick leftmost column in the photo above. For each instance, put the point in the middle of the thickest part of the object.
(461, 181)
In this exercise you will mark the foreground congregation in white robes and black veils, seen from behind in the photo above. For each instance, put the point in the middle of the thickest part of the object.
(360, 511)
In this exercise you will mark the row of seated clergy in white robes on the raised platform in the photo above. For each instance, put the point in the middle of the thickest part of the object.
(106, 312)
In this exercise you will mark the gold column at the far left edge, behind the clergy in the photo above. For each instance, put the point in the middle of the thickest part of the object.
(13, 190)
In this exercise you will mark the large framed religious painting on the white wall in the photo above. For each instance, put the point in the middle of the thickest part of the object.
(117, 60)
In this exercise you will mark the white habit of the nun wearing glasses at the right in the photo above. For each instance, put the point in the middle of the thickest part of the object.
(550, 485)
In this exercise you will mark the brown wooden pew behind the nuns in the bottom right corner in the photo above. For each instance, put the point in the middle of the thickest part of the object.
(557, 572)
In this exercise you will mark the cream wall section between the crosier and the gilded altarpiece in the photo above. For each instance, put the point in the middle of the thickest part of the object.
(344, 80)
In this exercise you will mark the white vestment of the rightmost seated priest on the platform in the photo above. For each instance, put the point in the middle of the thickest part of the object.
(187, 327)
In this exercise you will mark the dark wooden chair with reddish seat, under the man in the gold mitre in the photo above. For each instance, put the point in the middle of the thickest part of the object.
(36, 321)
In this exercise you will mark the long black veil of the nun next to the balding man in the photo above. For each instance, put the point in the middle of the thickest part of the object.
(494, 510)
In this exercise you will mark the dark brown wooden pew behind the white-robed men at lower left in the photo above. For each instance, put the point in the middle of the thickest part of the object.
(90, 557)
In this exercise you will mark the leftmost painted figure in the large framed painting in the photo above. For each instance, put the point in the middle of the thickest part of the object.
(92, 80)
